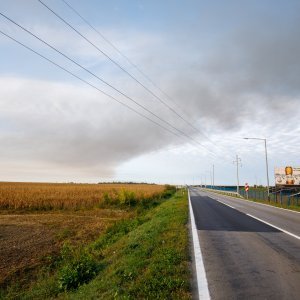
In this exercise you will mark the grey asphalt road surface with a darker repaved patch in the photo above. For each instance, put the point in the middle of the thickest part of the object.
(243, 257)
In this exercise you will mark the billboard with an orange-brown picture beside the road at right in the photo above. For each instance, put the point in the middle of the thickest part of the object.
(287, 175)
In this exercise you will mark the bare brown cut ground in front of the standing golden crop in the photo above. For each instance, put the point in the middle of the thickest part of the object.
(25, 239)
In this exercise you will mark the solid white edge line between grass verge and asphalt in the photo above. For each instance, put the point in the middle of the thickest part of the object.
(203, 291)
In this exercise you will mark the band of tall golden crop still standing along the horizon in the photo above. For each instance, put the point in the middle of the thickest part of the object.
(52, 196)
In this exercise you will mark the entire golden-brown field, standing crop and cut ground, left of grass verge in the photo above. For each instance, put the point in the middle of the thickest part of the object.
(37, 219)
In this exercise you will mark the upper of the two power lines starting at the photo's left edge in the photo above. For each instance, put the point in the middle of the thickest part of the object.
(87, 70)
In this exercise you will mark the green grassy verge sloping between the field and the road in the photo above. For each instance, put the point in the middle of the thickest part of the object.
(146, 257)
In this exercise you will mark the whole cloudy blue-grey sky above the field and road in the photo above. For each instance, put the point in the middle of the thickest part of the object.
(207, 73)
